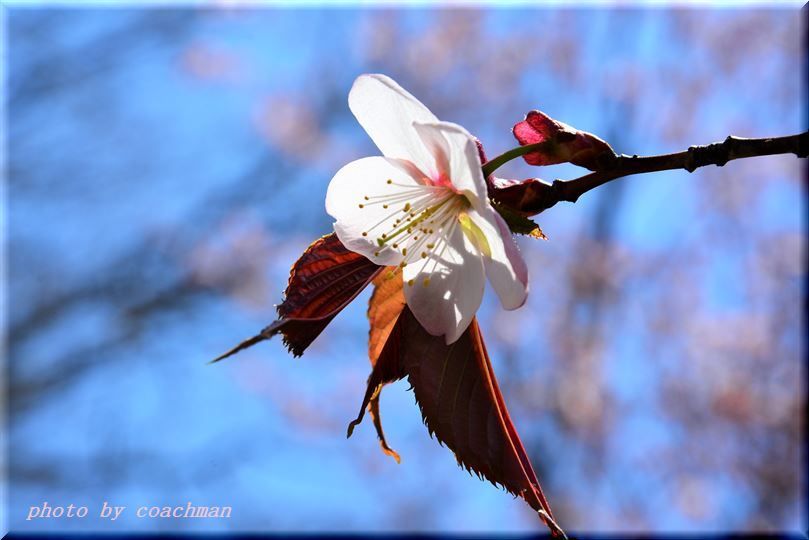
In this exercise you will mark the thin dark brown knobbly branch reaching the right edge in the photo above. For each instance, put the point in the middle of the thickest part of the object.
(695, 157)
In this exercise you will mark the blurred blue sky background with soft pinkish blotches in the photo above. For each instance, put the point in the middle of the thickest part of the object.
(167, 166)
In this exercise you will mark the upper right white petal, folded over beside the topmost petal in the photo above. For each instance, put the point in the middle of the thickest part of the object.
(465, 170)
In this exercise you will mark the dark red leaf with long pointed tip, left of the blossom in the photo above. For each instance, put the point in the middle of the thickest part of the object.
(321, 283)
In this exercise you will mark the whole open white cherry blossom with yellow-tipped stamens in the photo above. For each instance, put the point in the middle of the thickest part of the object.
(422, 208)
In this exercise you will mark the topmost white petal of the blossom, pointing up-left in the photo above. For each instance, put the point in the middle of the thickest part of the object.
(387, 111)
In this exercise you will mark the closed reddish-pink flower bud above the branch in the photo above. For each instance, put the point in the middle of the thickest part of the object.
(562, 143)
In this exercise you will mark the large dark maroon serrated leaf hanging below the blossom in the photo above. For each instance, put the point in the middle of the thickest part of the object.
(461, 404)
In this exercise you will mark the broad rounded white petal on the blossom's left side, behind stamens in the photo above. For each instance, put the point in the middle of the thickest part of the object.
(388, 189)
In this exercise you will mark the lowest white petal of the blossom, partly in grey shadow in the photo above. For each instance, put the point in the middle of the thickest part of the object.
(451, 297)
